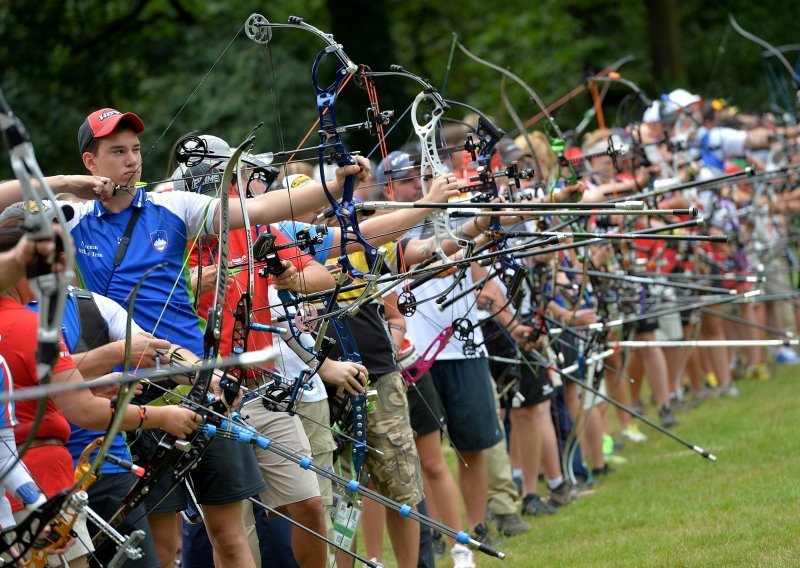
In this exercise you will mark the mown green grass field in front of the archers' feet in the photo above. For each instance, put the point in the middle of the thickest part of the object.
(667, 506)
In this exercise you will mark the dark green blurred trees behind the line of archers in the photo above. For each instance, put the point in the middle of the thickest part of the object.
(188, 66)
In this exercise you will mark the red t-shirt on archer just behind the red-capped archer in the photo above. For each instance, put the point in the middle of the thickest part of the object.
(238, 255)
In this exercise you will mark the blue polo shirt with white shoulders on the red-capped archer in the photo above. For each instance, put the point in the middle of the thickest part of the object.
(167, 224)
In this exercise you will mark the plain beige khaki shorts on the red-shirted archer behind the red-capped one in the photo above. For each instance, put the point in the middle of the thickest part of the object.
(287, 482)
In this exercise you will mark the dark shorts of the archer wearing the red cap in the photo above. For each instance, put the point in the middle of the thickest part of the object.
(228, 472)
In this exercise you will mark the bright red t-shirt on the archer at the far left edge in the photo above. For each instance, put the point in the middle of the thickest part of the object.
(50, 466)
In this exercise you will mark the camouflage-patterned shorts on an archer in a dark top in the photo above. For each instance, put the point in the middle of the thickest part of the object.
(397, 473)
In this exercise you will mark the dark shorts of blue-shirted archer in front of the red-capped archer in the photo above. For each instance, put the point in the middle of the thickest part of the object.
(105, 495)
